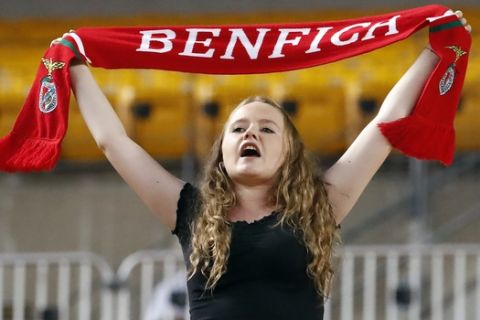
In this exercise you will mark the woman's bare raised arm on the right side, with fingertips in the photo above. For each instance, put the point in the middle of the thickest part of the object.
(349, 176)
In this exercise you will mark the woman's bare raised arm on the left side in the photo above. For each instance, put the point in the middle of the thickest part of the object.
(158, 189)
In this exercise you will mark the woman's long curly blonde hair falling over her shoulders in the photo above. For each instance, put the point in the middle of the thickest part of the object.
(298, 194)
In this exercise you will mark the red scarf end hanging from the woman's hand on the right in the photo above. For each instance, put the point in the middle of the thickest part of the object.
(428, 132)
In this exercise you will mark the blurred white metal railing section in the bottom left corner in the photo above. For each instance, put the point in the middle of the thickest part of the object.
(31, 283)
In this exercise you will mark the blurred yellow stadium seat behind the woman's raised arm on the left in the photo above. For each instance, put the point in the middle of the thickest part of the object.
(154, 114)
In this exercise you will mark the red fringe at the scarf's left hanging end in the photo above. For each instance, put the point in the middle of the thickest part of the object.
(28, 154)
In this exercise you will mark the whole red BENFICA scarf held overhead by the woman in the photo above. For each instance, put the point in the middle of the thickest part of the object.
(427, 133)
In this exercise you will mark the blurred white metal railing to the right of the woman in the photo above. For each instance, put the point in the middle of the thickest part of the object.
(408, 282)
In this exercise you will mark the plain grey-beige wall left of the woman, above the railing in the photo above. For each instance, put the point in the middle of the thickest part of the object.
(82, 211)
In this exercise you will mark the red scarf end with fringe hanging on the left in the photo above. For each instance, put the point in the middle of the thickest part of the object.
(35, 140)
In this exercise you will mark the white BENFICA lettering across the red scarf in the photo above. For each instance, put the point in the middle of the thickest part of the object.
(199, 40)
